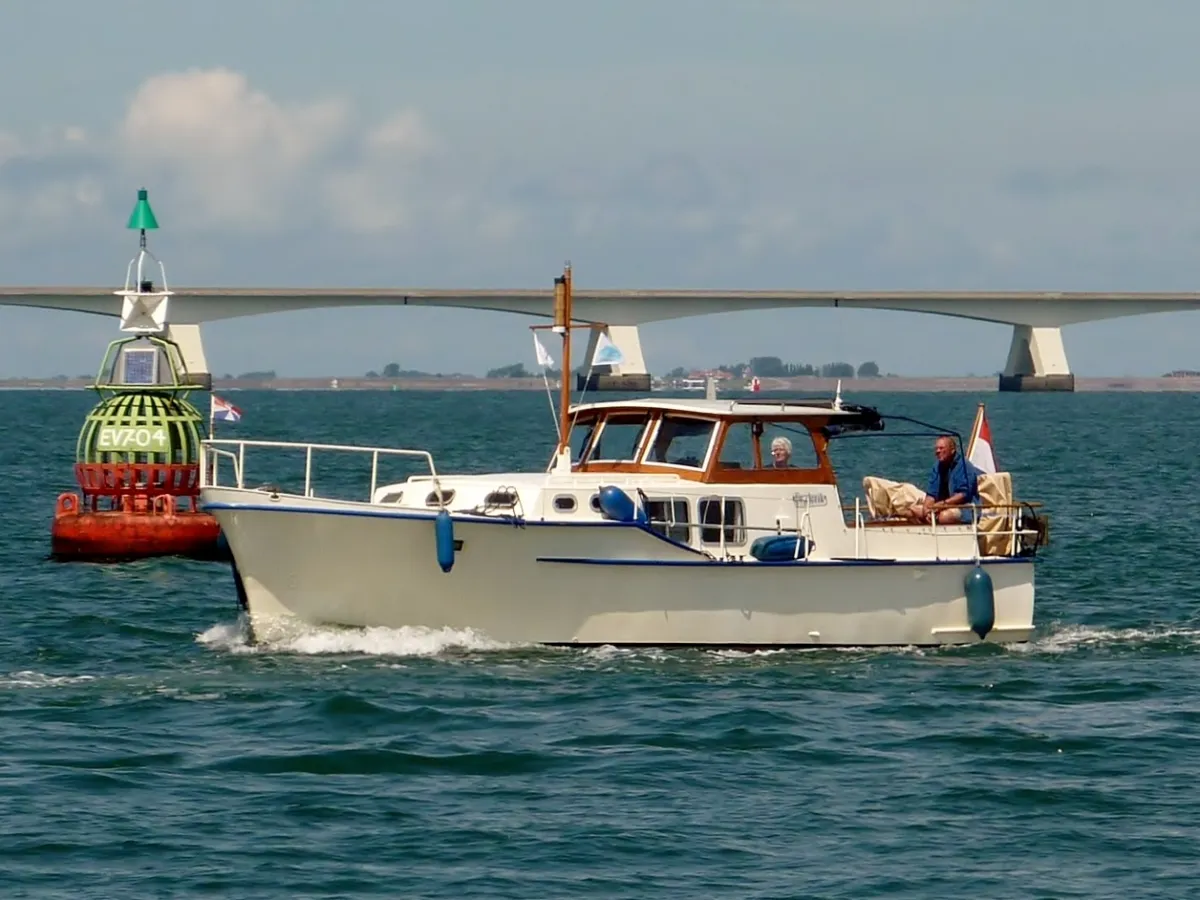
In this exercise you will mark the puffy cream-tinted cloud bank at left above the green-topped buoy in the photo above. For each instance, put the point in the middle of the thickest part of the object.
(225, 157)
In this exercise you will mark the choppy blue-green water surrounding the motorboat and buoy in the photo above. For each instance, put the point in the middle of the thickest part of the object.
(147, 751)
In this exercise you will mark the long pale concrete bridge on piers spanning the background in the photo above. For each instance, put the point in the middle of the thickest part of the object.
(1037, 359)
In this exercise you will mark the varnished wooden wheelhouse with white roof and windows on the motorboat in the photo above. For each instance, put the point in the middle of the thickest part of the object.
(715, 441)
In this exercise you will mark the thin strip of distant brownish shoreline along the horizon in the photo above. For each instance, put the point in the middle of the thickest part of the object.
(986, 385)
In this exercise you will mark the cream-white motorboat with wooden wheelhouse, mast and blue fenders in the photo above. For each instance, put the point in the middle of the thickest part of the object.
(658, 523)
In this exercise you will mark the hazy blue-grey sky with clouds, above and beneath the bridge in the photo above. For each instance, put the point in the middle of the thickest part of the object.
(848, 145)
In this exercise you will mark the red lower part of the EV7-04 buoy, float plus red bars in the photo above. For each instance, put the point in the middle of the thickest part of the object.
(135, 512)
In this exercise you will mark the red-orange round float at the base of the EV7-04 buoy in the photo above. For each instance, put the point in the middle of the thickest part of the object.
(119, 535)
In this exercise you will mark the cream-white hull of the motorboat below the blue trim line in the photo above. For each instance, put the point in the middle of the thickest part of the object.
(595, 584)
